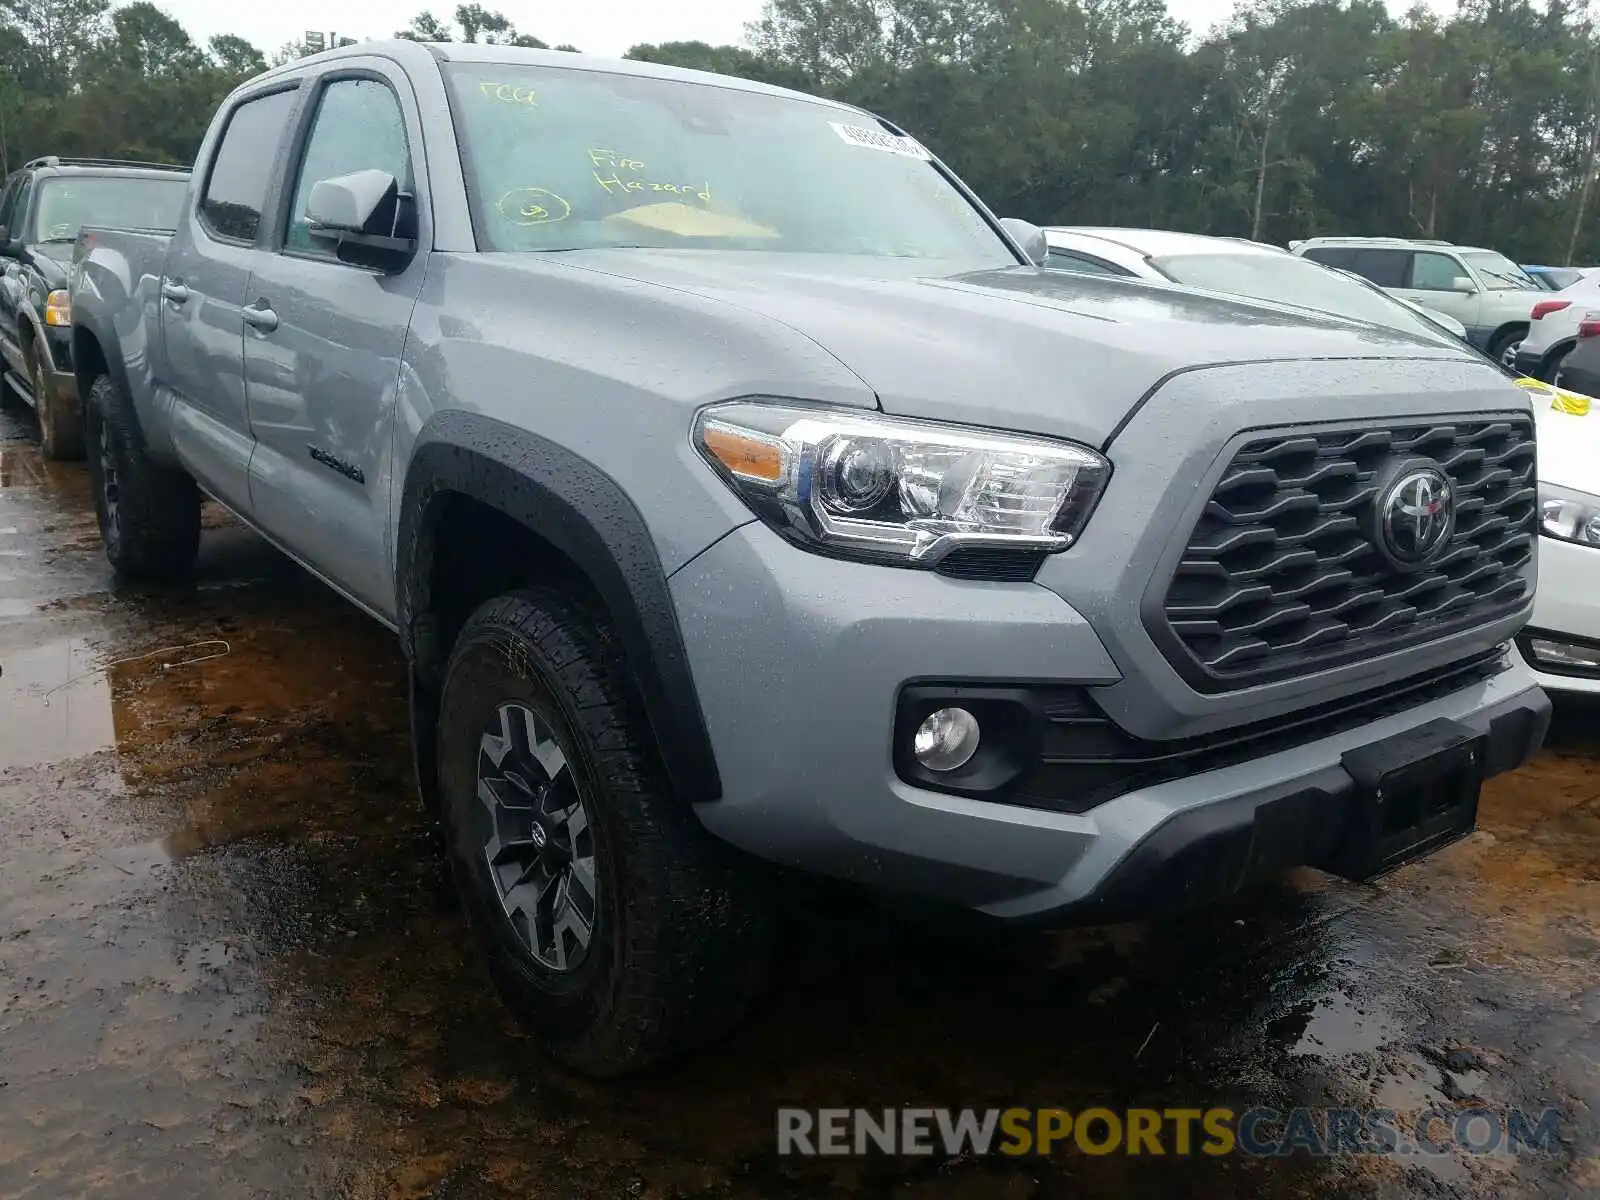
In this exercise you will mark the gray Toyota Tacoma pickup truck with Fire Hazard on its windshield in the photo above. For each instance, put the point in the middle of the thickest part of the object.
(742, 490)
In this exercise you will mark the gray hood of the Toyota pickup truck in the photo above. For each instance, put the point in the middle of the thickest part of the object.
(1050, 353)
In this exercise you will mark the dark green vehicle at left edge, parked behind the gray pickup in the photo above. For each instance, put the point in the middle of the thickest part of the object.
(42, 207)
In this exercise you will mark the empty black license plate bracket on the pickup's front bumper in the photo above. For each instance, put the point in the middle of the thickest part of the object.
(1415, 793)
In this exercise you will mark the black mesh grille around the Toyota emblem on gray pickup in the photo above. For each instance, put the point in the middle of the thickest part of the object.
(1281, 575)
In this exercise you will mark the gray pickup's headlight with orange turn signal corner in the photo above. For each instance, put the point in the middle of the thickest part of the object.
(905, 492)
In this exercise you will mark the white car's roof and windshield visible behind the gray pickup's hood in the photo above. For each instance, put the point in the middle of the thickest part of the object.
(1239, 268)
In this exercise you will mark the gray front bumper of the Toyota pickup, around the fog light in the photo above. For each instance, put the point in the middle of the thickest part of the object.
(799, 660)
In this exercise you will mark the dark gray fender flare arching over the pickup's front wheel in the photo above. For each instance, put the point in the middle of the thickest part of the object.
(586, 516)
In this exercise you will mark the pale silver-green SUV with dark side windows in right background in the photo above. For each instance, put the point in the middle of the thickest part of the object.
(1482, 289)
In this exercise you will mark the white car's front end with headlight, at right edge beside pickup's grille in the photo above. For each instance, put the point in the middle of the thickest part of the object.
(1562, 641)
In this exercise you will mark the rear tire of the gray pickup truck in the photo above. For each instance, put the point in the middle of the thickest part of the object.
(150, 516)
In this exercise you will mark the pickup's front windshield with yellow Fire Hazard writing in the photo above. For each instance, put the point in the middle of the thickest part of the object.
(561, 159)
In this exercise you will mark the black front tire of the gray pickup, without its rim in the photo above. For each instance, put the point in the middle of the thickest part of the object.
(679, 942)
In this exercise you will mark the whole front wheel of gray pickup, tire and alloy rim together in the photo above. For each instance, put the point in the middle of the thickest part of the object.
(617, 927)
